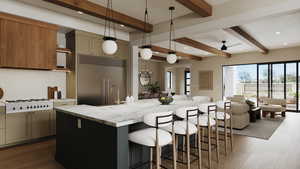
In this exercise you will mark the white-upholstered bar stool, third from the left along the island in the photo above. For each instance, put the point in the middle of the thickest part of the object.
(206, 122)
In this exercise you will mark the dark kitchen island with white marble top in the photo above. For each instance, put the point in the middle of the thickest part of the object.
(90, 137)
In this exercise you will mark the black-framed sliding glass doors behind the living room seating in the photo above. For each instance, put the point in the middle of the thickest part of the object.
(273, 80)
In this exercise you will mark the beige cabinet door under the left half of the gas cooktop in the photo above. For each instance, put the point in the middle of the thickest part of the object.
(17, 127)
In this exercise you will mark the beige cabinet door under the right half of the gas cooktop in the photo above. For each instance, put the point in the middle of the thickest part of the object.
(40, 124)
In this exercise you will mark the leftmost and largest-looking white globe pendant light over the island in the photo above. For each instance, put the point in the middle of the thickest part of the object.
(109, 45)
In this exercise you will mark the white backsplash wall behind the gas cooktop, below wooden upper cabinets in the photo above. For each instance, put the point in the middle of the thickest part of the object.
(25, 84)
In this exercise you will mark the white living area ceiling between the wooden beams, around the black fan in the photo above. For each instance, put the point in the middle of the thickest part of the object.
(263, 30)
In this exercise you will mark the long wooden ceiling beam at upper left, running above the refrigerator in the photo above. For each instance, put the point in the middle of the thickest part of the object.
(99, 11)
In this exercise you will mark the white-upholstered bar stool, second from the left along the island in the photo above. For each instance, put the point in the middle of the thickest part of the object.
(186, 129)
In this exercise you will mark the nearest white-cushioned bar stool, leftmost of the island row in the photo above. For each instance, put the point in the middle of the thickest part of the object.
(154, 137)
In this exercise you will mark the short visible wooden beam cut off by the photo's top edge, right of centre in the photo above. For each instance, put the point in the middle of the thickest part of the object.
(200, 7)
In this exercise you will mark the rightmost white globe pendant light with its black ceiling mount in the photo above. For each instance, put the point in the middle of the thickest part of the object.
(171, 58)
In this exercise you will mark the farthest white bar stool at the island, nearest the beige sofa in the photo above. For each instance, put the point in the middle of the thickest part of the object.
(221, 116)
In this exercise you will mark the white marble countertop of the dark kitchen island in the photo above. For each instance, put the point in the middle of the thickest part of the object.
(122, 115)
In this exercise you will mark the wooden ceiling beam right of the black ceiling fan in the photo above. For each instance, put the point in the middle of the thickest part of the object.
(247, 38)
